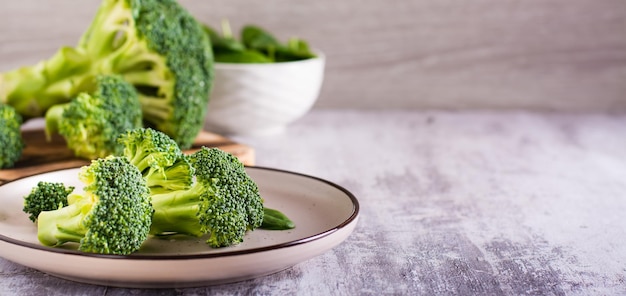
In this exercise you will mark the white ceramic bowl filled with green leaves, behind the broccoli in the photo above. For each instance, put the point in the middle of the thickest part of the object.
(262, 99)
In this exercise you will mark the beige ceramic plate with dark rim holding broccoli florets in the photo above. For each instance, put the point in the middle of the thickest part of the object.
(324, 213)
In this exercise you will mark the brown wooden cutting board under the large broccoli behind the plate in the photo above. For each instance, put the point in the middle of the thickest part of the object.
(41, 156)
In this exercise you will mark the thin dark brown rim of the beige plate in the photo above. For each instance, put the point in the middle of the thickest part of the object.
(139, 257)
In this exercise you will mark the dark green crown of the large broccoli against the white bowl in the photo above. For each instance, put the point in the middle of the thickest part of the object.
(173, 32)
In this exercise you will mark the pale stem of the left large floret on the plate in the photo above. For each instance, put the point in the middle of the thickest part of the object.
(63, 225)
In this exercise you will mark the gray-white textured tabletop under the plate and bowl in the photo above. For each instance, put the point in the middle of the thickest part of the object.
(451, 203)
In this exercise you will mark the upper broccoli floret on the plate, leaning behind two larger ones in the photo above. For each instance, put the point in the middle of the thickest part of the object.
(158, 158)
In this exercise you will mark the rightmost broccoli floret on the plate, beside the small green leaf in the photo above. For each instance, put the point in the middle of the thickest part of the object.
(223, 202)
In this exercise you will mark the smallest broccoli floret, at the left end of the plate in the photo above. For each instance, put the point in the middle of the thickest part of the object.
(46, 196)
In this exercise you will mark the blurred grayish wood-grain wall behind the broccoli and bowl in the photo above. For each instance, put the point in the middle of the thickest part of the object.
(484, 54)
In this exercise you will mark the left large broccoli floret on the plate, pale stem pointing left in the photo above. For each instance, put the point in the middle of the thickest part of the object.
(111, 216)
